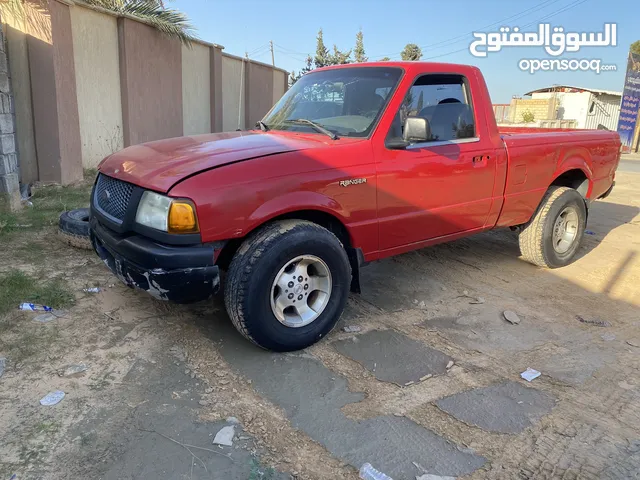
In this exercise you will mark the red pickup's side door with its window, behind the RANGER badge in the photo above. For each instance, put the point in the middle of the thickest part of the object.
(442, 186)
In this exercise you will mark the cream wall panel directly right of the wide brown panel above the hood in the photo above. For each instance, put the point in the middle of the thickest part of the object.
(196, 89)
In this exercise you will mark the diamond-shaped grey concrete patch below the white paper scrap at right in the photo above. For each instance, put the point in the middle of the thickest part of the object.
(508, 407)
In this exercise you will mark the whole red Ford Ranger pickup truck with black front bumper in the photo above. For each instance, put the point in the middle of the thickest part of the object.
(355, 163)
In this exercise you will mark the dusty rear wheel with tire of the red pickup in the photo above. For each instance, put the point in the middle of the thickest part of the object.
(552, 237)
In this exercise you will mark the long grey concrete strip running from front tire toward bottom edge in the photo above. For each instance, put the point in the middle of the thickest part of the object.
(312, 396)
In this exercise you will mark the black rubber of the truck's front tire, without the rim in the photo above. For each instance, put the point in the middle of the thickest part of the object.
(254, 268)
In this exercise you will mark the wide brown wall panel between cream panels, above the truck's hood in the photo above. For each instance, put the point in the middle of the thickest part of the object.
(151, 83)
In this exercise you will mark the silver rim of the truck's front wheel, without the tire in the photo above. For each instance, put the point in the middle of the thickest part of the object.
(301, 291)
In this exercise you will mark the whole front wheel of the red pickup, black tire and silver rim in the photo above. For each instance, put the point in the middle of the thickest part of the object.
(270, 299)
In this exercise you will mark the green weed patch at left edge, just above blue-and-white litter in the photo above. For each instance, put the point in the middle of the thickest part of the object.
(17, 287)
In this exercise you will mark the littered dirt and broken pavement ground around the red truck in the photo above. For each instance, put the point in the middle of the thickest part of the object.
(429, 385)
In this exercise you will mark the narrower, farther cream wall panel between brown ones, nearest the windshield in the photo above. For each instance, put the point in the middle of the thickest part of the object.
(233, 100)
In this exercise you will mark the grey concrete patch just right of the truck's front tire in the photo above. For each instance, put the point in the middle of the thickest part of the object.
(393, 357)
